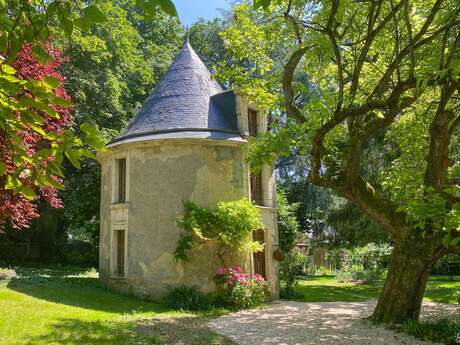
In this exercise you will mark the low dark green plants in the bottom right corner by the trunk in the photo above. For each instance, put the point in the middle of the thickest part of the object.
(447, 331)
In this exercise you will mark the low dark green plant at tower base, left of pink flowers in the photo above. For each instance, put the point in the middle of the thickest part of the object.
(189, 298)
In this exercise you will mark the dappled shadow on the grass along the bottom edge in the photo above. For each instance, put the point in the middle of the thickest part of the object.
(186, 330)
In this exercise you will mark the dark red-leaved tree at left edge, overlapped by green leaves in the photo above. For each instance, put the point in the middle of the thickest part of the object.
(34, 137)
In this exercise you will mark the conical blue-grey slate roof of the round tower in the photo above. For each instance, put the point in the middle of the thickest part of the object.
(187, 103)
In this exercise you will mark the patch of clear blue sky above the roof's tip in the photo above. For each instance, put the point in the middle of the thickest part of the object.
(190, 10)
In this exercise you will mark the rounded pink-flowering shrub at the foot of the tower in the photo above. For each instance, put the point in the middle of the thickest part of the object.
(239, 290)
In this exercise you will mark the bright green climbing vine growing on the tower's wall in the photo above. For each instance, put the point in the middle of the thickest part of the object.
(231, 224)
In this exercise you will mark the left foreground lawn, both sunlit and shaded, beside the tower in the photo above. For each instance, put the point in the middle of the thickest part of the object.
(71, 307)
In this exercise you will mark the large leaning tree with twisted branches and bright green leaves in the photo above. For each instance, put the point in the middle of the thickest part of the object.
(377, 68)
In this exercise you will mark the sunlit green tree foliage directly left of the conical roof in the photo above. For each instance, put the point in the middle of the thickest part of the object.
(114, 65)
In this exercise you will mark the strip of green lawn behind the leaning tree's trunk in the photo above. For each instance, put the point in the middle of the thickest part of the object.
(327, 289)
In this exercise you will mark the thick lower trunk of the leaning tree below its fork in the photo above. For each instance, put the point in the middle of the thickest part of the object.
(410, 266)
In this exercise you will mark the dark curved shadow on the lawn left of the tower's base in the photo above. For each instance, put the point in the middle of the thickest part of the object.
(70, 287)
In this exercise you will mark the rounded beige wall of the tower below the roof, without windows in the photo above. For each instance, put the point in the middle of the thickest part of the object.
(162, 176)
